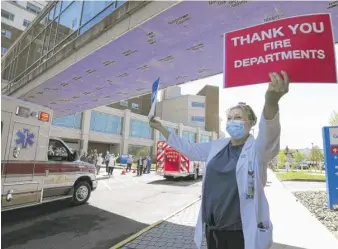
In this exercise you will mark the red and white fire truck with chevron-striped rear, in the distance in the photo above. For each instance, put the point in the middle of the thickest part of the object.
(172, 164)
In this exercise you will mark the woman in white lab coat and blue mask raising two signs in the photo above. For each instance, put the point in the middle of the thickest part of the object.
(234, 210)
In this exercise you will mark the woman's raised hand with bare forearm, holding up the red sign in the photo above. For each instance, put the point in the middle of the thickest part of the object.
(278, 87)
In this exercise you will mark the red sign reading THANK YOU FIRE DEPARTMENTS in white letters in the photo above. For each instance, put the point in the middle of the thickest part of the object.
(303, 46)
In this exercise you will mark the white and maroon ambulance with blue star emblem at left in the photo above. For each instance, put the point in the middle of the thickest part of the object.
(37, 168)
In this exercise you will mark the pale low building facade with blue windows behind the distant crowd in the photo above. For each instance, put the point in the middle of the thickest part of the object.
(133, 134)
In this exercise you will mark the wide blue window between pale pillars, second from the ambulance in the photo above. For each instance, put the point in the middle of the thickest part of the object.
(105, 123)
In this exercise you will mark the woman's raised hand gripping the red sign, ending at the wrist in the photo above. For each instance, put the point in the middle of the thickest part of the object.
(278, 87)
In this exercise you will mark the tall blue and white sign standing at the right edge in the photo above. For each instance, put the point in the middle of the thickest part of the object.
(330, 140)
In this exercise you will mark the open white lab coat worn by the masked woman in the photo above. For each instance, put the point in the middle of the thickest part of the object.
(256, 152)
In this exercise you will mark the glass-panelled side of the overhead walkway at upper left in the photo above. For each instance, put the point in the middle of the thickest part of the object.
(61, 23)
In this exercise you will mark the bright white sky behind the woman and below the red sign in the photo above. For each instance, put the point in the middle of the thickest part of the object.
(303, 111)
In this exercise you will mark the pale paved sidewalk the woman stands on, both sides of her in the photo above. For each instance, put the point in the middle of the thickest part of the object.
(294, 226)
